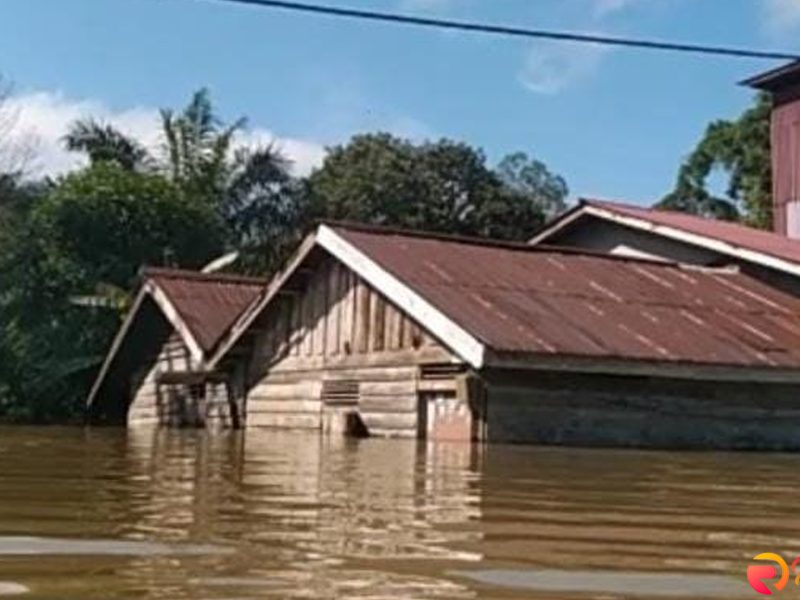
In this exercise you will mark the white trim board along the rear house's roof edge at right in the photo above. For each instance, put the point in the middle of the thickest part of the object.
(709, 243)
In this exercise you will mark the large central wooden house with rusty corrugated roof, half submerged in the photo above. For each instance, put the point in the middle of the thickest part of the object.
(392, 333)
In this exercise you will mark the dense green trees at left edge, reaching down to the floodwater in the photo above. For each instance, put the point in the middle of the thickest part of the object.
(88, 235)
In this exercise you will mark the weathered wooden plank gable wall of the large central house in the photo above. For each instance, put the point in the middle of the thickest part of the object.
(338, 329)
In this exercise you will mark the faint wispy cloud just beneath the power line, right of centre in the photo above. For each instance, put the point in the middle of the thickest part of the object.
(551, 68)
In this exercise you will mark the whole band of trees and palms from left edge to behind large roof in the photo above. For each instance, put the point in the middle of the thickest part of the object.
(70, 249)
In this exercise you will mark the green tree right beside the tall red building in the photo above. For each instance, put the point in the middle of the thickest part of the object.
(740, 148)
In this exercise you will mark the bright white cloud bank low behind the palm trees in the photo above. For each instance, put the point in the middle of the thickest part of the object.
(41, 120)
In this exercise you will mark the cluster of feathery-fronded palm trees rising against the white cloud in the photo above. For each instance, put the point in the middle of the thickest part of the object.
(250, 187)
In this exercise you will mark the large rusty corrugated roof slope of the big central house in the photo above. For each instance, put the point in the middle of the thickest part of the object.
(547, 301)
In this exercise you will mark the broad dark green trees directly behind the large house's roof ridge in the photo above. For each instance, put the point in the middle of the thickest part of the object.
(439, 186)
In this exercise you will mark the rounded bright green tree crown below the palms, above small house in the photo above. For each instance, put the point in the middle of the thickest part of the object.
(109, 221)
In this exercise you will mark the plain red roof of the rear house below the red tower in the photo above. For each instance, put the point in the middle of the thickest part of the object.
(734, 234)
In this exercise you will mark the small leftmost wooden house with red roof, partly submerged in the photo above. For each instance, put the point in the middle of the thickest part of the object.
(154, 371)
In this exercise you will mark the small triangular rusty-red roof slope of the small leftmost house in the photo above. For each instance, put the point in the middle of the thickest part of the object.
(208, 303)
